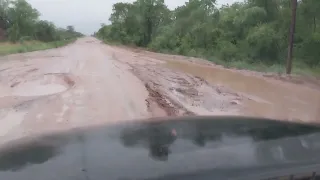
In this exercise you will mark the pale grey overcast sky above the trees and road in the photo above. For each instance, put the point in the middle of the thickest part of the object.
(86, 15)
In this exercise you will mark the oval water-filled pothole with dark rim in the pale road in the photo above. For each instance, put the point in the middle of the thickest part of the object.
(46, 85)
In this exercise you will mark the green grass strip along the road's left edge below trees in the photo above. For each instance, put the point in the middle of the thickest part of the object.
(28, 46)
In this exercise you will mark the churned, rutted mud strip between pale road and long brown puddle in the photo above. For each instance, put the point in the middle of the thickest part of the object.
(178, 93)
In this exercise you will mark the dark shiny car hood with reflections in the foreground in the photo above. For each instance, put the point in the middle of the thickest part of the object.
(183, 148)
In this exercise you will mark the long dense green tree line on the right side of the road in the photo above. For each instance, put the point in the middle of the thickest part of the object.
(253, 31)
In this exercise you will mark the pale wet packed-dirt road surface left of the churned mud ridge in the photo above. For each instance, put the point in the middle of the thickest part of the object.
(68, 87)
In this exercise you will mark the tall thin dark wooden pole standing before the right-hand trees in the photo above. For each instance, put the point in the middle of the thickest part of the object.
(291, 36)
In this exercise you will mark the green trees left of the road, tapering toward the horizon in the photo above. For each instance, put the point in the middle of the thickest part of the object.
(20, 21)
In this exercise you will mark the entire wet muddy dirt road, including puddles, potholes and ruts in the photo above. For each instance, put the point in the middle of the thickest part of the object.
(88, 83)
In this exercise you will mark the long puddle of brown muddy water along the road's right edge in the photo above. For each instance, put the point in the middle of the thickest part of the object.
(264, 98)
